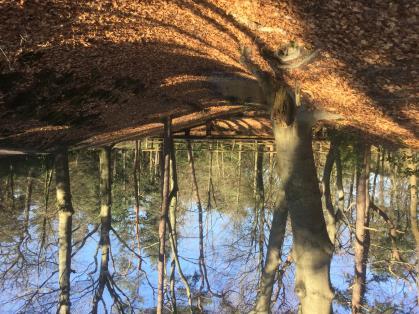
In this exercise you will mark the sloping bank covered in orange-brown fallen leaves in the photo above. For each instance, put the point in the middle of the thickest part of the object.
(87, 72)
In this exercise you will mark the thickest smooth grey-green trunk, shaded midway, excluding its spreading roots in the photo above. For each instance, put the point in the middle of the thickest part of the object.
(312, 249)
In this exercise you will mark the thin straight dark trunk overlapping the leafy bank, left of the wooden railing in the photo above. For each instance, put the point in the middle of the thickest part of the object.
(164, 212)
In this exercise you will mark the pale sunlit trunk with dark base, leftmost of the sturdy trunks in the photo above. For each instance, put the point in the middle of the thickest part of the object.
(65, 213)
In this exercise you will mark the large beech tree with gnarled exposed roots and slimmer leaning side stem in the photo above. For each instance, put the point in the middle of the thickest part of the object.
(292, 125)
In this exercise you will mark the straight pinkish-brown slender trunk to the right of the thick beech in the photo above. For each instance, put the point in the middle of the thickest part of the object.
(362, 237)
